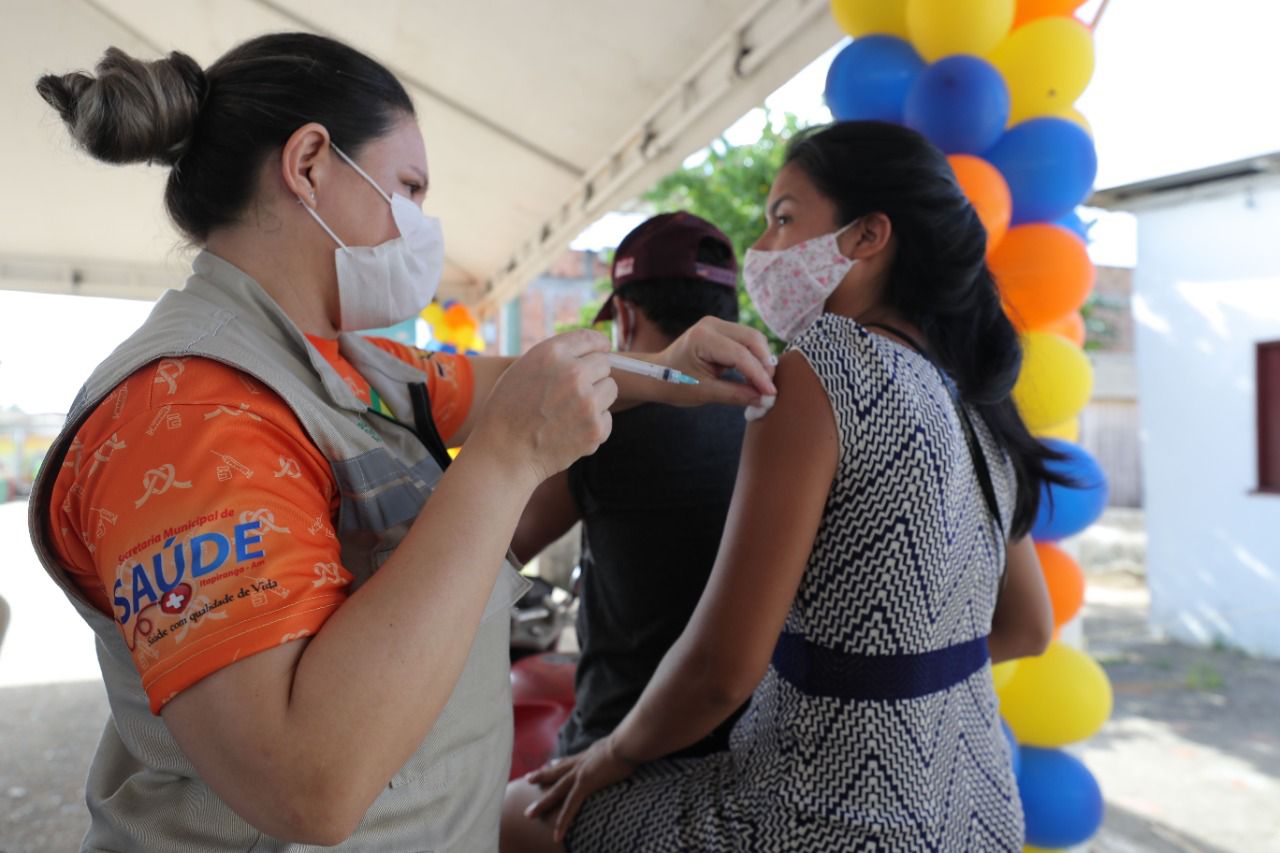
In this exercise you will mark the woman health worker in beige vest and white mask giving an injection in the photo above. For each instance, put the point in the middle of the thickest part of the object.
(301, 606)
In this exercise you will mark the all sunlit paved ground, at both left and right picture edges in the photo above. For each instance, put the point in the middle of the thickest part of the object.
(1190, 760)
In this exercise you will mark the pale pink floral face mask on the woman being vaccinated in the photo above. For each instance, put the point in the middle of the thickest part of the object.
(790, 286)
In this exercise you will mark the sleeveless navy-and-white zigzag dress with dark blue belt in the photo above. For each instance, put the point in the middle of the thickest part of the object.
(876, 726)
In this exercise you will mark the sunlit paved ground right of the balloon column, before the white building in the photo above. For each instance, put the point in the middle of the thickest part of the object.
(1191, 758)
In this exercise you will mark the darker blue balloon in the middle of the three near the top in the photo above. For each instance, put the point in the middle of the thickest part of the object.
(961, 104)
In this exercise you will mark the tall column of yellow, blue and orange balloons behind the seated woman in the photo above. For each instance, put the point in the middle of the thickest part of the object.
(994, 85)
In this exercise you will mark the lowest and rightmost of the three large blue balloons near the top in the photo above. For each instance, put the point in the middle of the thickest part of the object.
(1049, 166)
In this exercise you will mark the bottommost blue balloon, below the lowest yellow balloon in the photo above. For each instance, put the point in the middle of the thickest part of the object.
(1062, 801)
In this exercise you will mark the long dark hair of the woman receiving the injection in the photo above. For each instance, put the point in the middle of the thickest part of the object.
(939, 280)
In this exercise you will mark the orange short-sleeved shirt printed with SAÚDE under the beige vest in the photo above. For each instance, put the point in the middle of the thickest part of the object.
(196, 512)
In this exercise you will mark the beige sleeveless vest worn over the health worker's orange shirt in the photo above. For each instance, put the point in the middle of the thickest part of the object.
(143, 792)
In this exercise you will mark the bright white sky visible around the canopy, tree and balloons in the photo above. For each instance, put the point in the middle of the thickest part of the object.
(1180, 85)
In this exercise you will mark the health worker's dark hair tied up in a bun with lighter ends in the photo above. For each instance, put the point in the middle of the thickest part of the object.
(216, 127)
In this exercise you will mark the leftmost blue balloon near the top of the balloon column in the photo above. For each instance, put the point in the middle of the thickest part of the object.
(870, 79)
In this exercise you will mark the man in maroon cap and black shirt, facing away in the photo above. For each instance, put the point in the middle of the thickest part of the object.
(655, 496)
